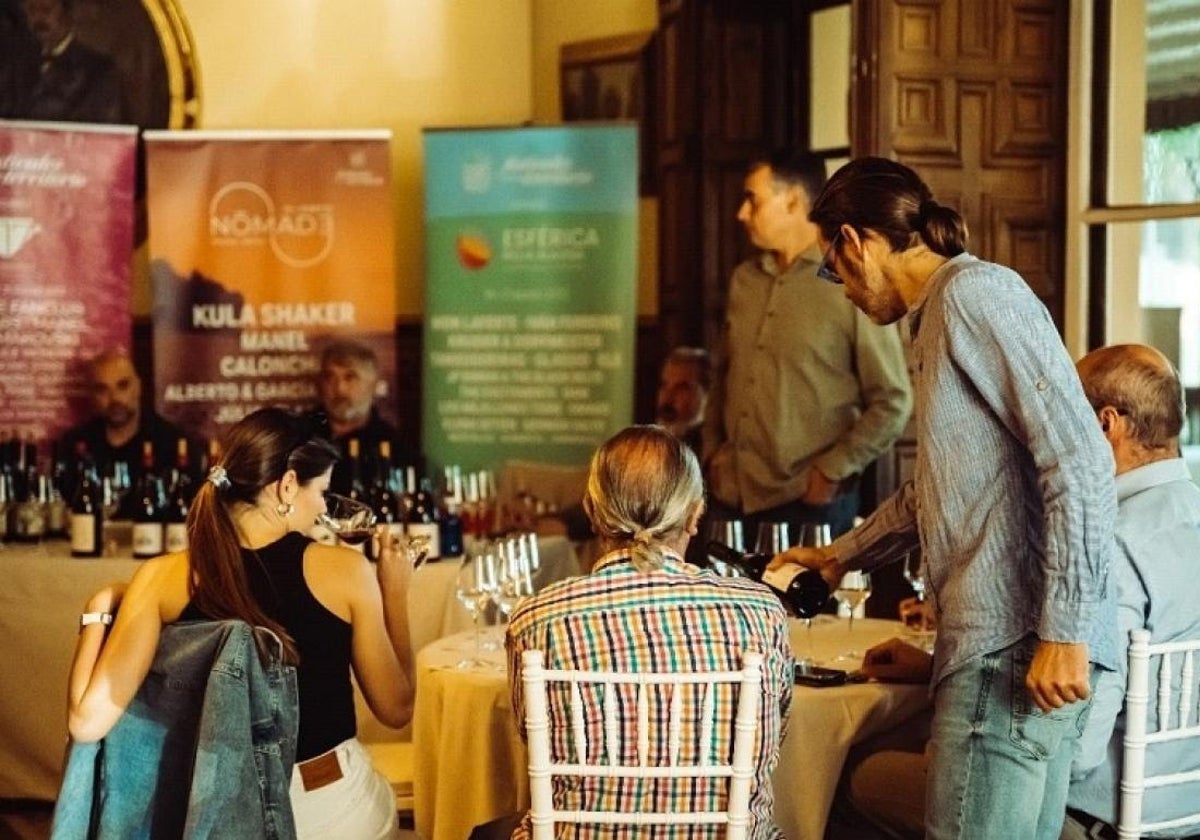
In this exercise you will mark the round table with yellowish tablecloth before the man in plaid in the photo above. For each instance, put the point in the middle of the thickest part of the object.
(471, 764)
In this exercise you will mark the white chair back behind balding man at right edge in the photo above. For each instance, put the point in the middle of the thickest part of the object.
(1178, 717)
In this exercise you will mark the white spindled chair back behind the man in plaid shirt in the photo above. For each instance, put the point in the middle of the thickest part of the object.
(688, 705)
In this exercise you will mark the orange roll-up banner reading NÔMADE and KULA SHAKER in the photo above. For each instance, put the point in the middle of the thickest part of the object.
(265, 247)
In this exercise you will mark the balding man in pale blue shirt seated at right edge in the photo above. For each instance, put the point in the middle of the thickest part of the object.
(1138, 400)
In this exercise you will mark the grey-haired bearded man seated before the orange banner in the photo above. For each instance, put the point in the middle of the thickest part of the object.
(350, 376)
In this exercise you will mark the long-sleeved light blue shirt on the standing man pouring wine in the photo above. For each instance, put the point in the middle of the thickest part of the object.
(1012, 500)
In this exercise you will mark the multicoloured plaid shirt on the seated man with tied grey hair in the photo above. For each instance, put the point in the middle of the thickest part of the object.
(673, 620)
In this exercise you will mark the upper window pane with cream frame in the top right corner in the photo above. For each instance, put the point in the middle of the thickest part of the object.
(1155, 67)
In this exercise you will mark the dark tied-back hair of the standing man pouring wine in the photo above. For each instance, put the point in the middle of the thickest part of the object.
(890, 199)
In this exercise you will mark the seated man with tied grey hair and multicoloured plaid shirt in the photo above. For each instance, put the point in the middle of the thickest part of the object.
(643, 609)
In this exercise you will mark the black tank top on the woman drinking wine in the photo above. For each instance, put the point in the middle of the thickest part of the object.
(327, 699)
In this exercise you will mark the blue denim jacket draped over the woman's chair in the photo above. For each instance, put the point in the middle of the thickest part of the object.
(205, 751)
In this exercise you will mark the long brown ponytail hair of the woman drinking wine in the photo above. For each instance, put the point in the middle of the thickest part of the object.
(260, 449)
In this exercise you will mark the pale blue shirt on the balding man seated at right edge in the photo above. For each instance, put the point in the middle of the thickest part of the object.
(1157, 574)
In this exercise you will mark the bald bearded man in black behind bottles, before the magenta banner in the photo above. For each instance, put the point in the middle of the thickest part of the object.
(121, 425)
